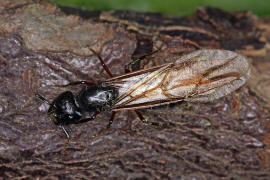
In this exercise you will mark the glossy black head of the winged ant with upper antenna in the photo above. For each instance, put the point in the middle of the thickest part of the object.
(63, 110)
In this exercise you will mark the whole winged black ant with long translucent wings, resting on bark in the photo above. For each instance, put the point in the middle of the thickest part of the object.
(202, 76)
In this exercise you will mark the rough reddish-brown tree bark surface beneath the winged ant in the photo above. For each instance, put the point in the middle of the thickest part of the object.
(42, 45)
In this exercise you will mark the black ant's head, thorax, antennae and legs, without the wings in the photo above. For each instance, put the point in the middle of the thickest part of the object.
(93, 98)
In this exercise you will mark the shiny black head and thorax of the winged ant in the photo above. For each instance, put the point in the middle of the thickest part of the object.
(68, 109)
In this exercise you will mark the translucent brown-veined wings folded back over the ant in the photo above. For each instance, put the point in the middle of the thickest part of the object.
(203, 75)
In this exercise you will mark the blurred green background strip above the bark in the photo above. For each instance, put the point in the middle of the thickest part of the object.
(170, 7)
